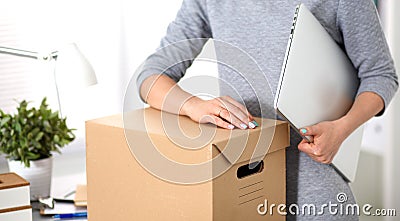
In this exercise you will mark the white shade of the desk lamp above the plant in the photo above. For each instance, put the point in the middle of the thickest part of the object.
(71, 63)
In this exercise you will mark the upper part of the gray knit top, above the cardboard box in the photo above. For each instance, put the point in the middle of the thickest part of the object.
(261, 30)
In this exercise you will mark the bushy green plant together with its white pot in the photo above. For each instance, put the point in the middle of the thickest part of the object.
(29, 138)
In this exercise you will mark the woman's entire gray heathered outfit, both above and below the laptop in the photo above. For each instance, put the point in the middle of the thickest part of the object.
(258, 31)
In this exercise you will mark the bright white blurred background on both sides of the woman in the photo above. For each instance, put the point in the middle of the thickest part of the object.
(116, 36)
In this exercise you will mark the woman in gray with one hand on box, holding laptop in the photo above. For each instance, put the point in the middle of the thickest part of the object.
(261, 29)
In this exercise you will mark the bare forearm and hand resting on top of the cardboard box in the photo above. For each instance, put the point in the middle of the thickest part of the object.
(163, 93)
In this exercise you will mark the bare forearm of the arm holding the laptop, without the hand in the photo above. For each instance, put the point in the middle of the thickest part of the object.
(366, 106)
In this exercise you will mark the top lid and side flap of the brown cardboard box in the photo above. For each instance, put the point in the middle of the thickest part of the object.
(236, 145)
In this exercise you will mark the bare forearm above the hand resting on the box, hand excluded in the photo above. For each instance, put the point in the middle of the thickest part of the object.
(162, 93)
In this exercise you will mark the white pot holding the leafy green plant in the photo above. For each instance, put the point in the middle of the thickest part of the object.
(38, 174)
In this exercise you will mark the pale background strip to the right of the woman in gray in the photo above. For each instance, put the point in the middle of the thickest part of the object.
(381, 139)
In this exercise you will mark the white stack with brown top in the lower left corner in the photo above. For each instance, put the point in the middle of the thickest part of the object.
(14, 198)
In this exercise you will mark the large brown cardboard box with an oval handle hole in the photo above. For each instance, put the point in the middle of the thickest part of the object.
(149, 165)
